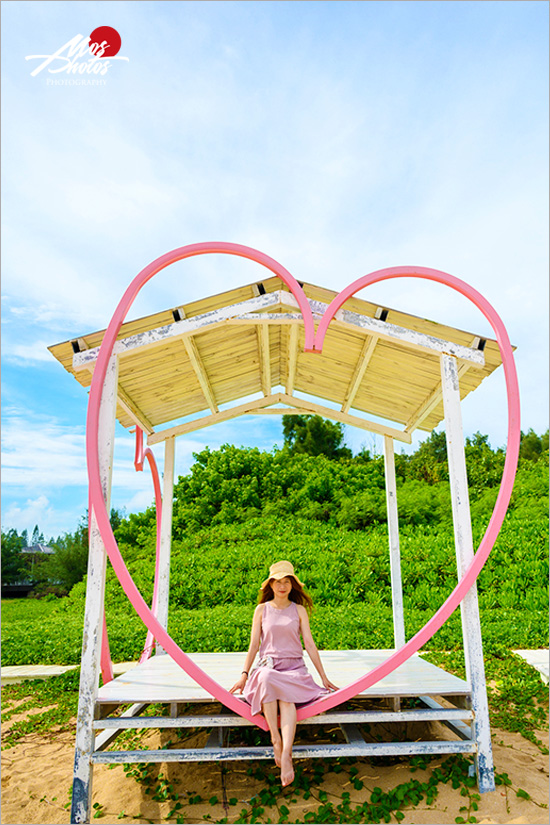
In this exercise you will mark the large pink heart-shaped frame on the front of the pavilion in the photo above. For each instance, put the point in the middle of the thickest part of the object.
(313, 342)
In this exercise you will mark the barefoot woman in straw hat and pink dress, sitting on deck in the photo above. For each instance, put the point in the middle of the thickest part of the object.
(281, 677)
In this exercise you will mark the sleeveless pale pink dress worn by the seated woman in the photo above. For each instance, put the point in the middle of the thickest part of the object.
(288, 679)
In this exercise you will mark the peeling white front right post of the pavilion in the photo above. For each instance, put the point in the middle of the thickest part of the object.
(471, 628)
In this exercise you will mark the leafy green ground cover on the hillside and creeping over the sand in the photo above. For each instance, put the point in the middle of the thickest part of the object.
(240, 510)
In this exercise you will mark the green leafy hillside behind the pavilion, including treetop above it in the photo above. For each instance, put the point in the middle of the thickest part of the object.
(239, 510)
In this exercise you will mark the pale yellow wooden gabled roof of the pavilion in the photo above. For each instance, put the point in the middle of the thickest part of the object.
(250, 340)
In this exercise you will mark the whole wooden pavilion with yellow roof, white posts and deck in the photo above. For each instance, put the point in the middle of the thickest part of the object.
(242, 353)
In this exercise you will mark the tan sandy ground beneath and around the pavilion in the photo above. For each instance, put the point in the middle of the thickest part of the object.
(37, 778)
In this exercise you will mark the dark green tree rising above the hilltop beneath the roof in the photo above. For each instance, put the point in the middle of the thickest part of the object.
(314, 435)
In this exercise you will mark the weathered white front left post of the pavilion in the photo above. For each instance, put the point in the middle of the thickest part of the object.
(93, 616)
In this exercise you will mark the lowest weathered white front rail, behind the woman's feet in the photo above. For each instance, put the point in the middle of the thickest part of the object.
(298, 752)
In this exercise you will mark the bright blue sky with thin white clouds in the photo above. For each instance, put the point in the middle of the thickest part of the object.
(336, 137)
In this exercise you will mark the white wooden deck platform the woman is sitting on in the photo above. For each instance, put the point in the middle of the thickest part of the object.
(160, 680)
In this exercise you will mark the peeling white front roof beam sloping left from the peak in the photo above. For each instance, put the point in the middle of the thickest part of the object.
(179, 329)
